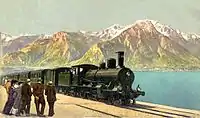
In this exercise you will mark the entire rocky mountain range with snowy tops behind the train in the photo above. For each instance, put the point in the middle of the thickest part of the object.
(147, 44)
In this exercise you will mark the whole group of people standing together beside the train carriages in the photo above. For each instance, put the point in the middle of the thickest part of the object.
(19, 97)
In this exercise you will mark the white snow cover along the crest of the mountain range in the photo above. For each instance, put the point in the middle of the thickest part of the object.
(116, 29)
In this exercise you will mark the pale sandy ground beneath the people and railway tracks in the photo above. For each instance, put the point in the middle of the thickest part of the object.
(70, 107)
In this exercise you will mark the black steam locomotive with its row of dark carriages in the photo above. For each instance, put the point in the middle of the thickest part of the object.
(108, 82)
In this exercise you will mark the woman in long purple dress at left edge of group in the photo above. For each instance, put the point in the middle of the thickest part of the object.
(11, 98)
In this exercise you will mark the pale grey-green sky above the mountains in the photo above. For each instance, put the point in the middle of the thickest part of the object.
(49, 16)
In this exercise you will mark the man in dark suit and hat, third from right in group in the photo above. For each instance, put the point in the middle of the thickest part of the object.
(26, 94)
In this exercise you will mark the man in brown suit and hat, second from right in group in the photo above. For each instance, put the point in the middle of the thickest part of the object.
(38, 93)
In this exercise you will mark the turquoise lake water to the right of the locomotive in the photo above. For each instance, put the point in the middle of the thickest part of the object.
(177, 89)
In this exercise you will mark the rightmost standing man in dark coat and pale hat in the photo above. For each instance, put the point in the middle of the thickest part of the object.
(50, 92)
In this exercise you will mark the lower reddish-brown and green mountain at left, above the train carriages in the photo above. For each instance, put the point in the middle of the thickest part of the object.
(52, 51)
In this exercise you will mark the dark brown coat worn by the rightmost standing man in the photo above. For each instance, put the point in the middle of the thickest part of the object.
(50, 92)
